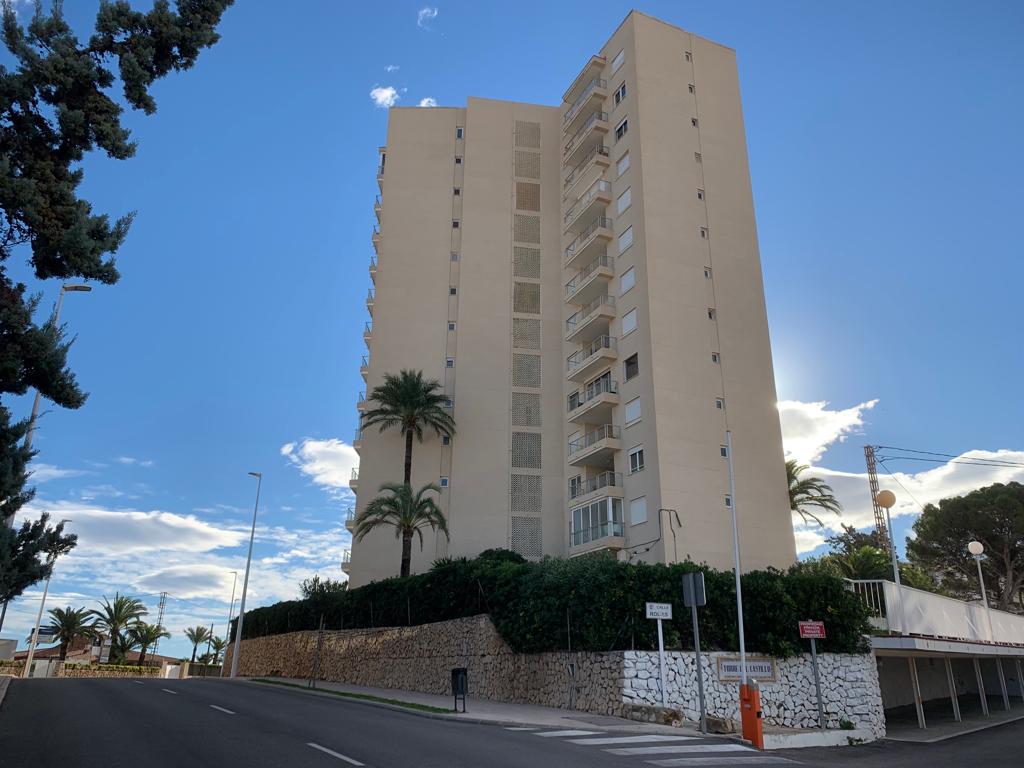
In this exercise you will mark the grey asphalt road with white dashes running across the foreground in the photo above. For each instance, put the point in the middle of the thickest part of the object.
(161, 723)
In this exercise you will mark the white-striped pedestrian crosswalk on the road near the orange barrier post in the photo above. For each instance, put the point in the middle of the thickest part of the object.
(664, 750)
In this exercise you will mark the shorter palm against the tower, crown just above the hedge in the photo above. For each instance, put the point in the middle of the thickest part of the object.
(409, 515)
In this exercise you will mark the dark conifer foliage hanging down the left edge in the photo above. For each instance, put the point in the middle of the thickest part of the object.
(58, 103)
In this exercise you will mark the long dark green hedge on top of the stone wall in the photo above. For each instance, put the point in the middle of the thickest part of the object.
(589, 604)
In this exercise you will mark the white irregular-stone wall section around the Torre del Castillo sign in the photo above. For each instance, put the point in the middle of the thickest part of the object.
(849, 688)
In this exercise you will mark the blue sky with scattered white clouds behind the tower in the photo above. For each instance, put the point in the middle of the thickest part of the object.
(885, 155)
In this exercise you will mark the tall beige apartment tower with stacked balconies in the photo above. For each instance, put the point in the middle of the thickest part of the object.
(585, 282)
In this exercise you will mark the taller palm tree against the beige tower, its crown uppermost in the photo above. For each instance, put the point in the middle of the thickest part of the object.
(412, 404)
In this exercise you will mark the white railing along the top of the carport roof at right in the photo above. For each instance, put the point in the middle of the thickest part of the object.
(907, 611)
